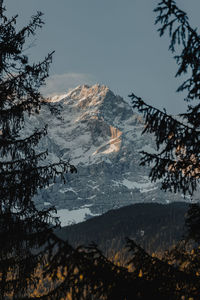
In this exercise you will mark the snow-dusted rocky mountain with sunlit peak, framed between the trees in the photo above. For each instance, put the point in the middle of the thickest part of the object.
(101, 136)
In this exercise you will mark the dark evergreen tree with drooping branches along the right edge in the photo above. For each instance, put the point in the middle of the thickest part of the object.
(176, 162)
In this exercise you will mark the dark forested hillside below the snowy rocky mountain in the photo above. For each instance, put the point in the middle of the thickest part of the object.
(155, 226)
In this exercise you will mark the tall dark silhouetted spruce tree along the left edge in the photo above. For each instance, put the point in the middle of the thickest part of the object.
(26, 234)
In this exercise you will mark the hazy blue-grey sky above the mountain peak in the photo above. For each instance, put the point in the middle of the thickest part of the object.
(111, 42)
